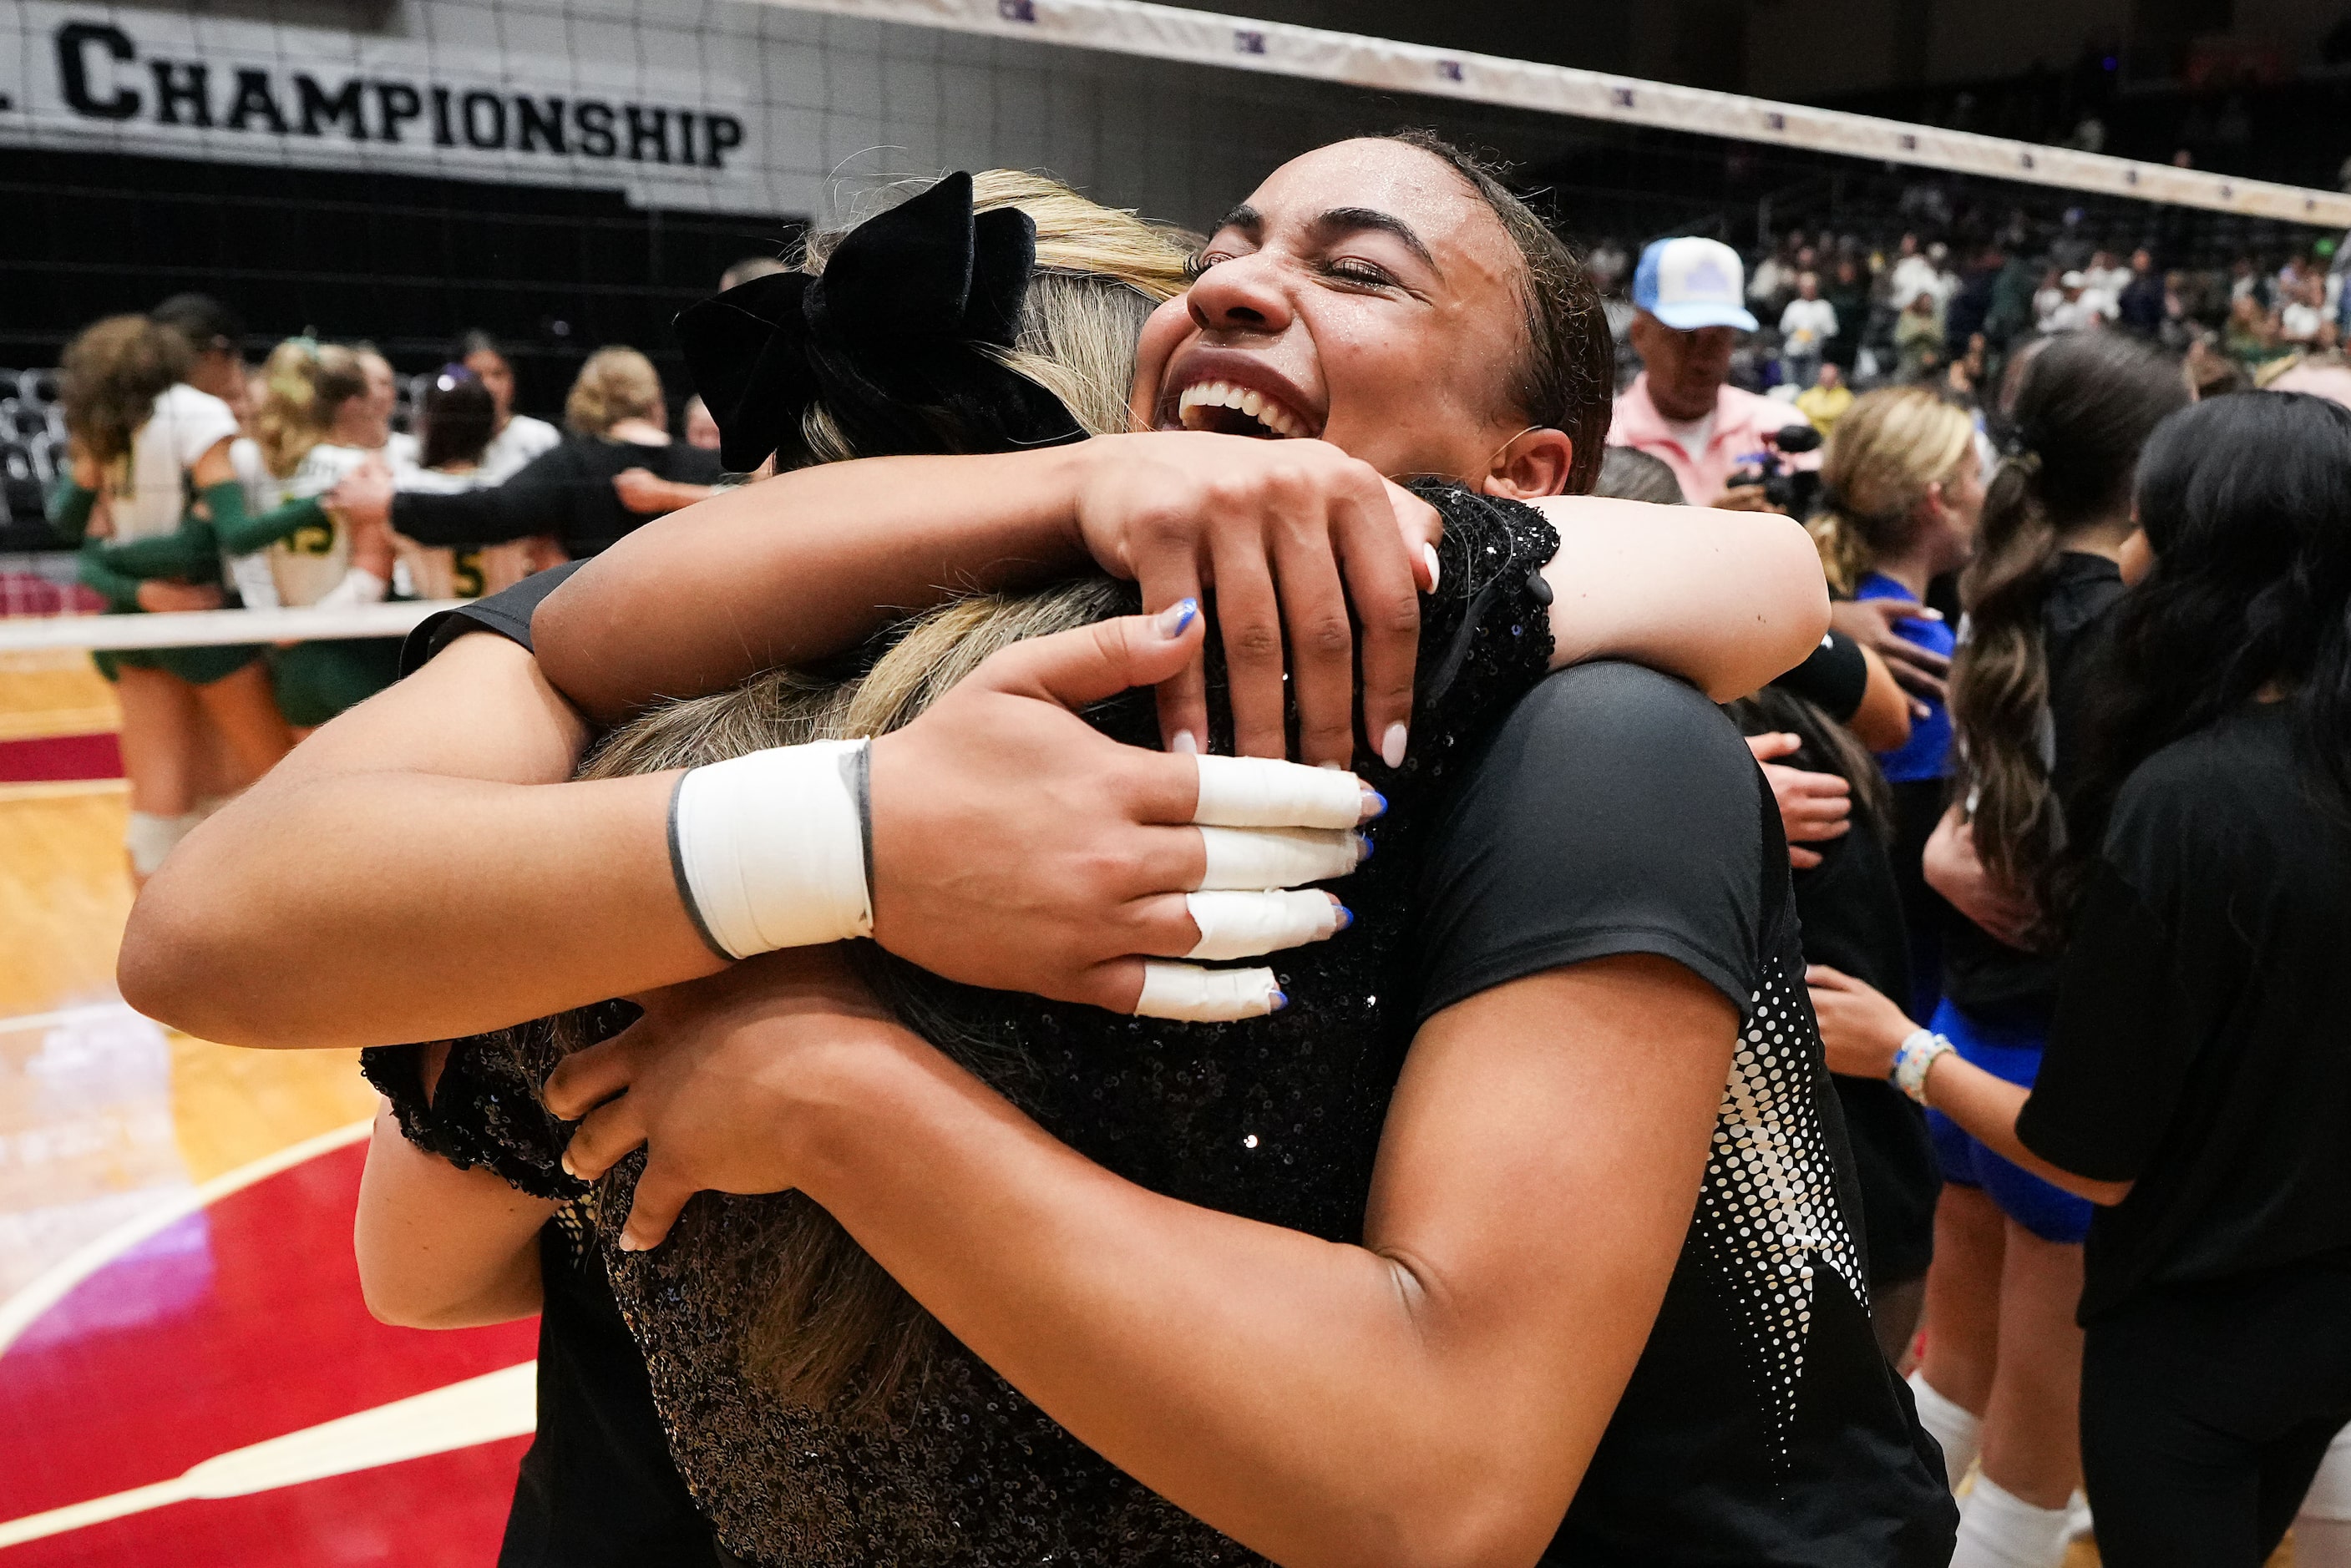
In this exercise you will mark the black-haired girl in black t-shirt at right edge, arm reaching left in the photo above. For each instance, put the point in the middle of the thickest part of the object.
(2197, 1080)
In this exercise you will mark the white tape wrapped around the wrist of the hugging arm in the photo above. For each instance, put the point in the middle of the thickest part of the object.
(770, 850)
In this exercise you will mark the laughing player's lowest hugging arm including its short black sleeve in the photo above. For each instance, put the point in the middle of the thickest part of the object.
(1431, 1395)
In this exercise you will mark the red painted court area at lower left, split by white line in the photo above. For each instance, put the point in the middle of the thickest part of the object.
(239, 1325)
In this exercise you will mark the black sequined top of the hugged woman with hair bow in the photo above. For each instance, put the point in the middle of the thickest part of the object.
(1275, 1120)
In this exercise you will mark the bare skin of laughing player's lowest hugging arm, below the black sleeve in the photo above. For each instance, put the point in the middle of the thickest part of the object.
(1428, 1398)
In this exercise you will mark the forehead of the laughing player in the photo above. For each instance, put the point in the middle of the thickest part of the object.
(1398, 180)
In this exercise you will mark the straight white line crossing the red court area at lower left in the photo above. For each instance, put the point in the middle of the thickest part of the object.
(457, 1416)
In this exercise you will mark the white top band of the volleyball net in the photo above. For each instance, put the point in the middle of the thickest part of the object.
(1278, 48)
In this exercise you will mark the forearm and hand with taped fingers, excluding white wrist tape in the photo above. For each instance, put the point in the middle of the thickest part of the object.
(422, 869)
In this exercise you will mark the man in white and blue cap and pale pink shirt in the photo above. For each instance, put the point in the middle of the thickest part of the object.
(1682, 406)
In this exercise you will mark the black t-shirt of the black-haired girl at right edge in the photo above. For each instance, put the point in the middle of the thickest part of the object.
(2199, 1047)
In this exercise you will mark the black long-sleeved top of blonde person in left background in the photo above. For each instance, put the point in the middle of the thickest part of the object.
(563, 492)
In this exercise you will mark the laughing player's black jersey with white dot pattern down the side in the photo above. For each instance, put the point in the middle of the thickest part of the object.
(1619, 812)
